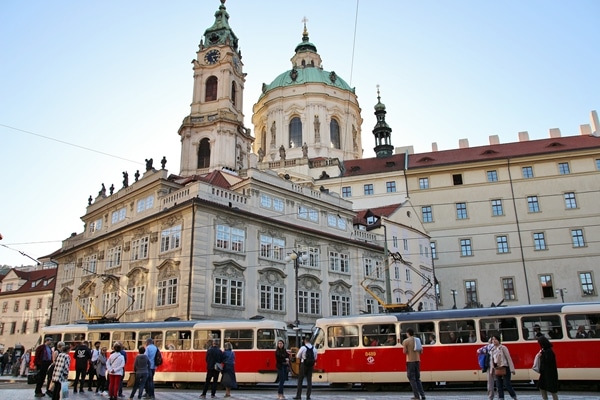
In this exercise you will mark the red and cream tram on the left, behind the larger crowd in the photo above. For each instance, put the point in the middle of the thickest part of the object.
(183, 345)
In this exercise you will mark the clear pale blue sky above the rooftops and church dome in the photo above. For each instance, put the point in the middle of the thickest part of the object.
(115, 77)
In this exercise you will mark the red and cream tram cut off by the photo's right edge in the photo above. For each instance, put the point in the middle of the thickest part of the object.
(367, 348)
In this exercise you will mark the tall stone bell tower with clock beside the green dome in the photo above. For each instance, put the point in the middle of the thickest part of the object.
(213, 135)
